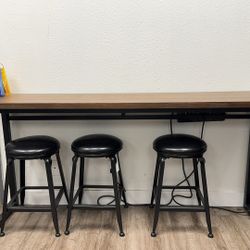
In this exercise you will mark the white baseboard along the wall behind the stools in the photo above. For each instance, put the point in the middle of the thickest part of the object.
(140, 197)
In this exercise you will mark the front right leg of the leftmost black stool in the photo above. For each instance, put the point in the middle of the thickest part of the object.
(48, 165)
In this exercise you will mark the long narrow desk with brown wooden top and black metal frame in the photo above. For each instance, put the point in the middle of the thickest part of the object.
(207, 106)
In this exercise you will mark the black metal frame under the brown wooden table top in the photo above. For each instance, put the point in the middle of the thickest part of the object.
(182, 115)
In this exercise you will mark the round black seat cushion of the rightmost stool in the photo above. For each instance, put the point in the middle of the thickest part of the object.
(180, 146)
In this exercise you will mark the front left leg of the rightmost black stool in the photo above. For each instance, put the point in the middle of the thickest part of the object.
(158, 194)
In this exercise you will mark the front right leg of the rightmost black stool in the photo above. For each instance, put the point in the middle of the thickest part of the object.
(206, 202)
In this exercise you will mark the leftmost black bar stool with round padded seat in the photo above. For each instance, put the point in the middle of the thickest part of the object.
(31, 148)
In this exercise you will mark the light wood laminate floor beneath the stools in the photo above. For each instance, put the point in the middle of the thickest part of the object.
(98, 230)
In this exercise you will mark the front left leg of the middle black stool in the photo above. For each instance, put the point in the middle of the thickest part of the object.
(71, 194)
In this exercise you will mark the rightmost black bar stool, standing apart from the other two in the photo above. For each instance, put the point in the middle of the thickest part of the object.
(180, 146)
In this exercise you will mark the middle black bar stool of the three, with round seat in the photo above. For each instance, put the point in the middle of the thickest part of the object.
(97, 146)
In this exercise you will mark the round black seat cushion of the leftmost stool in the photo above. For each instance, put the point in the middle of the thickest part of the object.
(32, 147)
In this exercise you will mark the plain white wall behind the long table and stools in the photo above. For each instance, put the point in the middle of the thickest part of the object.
(133, 46)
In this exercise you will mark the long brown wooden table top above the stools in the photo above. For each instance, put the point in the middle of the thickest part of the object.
(127, 101)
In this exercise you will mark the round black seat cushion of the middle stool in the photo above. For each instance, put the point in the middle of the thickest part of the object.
(96, 145)
